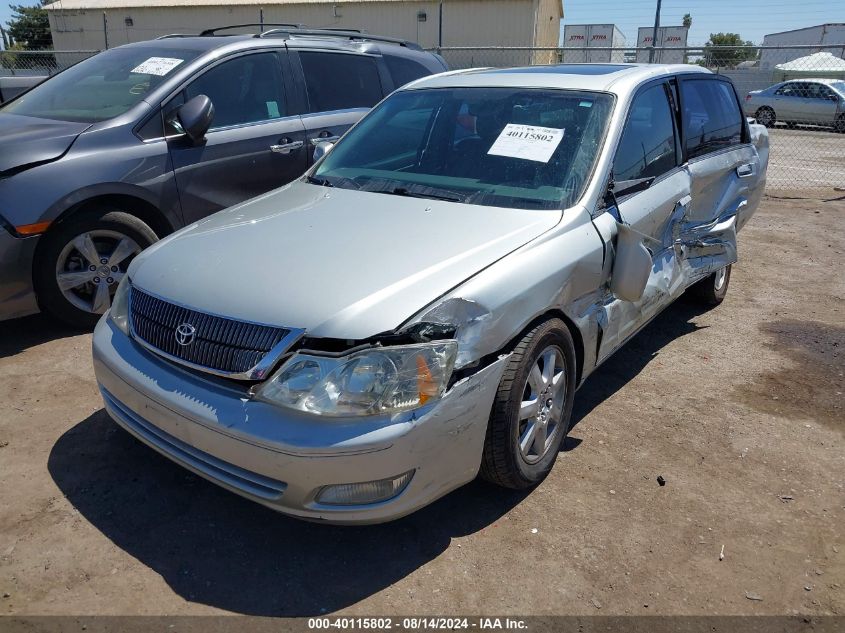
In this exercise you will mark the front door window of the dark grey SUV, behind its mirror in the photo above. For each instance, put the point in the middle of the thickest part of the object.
(243, 90)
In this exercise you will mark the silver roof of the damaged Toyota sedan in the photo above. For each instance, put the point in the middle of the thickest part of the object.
(614, 78)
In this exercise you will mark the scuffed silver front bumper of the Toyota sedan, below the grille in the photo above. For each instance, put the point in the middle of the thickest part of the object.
(282, 459)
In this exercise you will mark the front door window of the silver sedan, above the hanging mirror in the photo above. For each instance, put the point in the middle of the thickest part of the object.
(647, 147)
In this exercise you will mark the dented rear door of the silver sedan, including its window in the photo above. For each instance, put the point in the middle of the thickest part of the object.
(726, 173)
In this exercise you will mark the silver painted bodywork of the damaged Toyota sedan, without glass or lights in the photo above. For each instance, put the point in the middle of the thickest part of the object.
(397, 261)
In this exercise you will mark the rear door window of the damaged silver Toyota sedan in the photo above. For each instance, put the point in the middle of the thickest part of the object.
(711, 116)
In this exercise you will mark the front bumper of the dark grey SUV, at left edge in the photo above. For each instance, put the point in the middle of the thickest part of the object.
(17, 295)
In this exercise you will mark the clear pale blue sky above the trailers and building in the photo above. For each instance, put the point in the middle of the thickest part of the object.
(752, 19)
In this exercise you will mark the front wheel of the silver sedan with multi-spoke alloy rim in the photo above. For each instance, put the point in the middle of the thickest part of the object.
(504, 461)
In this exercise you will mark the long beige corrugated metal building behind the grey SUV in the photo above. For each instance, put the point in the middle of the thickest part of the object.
(95, 24)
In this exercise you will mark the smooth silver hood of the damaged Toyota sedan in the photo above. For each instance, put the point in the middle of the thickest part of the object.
(338, 263)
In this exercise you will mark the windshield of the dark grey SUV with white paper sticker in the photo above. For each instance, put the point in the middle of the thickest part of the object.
(101, 87)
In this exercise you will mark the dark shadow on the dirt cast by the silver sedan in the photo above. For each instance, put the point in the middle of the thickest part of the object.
(215, 548)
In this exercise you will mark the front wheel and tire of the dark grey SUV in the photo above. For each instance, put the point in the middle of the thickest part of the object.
(88, 277)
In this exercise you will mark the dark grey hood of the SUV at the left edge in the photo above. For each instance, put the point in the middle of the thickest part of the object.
(25, 141)
